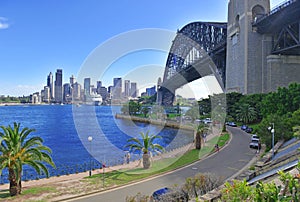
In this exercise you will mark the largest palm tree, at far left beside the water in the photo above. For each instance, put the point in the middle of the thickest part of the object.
(17, 149)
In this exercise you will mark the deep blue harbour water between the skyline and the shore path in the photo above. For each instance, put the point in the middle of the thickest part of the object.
(66, 128)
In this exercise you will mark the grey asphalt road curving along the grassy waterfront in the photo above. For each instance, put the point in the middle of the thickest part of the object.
(226, 163)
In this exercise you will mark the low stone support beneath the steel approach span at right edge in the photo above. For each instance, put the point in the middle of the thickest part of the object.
(281, 71)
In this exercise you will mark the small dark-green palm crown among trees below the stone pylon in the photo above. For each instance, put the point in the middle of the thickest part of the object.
(246, 113)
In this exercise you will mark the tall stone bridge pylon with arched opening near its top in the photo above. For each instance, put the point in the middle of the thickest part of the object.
(246, 49)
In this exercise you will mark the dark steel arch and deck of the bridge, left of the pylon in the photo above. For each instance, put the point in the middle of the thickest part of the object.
(198, 50)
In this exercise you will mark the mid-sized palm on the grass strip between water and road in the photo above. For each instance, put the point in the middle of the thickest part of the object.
(146, 145)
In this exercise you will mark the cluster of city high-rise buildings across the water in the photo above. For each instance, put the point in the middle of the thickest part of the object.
(75, 92)
